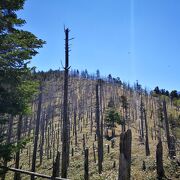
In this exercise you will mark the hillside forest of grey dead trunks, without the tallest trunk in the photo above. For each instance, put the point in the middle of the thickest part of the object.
(144, 118)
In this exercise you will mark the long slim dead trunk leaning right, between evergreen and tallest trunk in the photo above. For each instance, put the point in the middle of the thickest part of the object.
(36, 136)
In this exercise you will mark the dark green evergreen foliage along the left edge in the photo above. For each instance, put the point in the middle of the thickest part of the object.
(17, 87)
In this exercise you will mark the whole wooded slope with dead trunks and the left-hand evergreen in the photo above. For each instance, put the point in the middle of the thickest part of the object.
(79, 125)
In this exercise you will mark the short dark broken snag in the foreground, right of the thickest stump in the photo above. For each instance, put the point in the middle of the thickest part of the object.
(159, 161)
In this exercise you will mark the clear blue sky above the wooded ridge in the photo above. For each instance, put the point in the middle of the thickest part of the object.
(130, 39)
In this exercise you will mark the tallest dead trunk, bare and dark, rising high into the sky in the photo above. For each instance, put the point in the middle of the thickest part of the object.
(65, 134)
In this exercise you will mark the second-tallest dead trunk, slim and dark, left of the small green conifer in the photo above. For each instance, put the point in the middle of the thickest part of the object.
(98, 130)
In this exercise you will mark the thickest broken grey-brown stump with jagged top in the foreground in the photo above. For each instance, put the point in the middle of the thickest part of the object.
(125, 155)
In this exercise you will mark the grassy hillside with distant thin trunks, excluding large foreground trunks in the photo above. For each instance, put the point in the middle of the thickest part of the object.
(83, 128)
